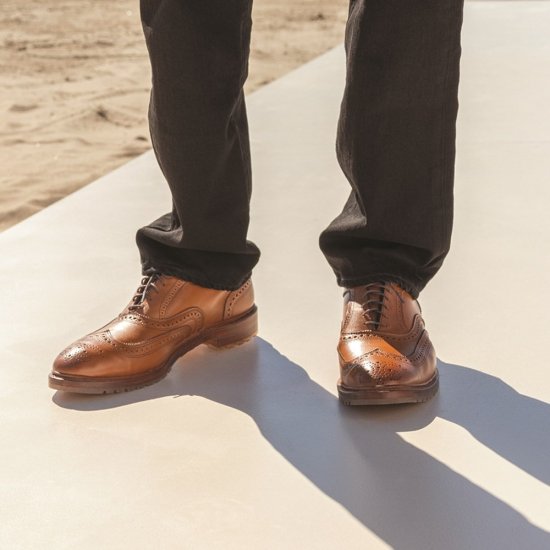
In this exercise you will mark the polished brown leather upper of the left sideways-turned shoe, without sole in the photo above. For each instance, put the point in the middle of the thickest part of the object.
(170, 313)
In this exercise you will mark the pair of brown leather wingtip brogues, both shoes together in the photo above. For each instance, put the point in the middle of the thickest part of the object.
(385, 353)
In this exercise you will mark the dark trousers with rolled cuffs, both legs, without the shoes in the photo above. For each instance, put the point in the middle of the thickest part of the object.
(395, 141)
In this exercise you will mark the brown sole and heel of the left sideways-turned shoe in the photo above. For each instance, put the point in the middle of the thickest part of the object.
(224, 335)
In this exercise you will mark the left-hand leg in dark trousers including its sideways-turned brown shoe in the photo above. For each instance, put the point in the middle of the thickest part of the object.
(196, 259)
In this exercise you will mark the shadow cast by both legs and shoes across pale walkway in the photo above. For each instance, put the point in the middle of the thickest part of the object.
(355, 455)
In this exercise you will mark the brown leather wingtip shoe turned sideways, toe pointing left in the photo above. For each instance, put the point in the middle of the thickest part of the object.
(166, 318)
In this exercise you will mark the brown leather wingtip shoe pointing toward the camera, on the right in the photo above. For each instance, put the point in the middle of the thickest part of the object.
(386, 356)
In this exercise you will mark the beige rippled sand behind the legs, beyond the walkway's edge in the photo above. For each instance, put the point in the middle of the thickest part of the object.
(75, 84)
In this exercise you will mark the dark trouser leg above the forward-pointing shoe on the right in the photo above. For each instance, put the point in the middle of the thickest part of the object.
(396, 142)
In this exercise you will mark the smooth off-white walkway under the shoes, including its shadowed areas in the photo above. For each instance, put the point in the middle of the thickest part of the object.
(249, 449)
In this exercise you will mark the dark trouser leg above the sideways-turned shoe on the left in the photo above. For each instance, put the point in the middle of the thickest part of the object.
(197, 116)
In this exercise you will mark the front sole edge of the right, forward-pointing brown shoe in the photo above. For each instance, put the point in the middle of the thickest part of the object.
(389, 395)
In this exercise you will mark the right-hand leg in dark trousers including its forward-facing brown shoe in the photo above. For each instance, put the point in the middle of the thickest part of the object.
(396, 146)
